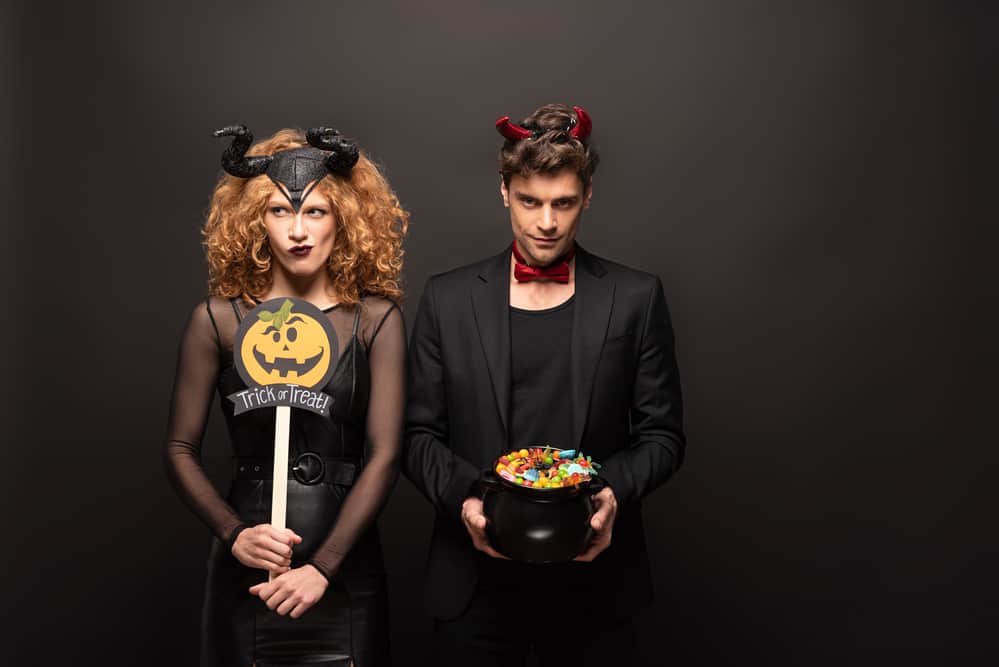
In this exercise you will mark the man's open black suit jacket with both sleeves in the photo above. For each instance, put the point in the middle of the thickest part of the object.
(624, 400)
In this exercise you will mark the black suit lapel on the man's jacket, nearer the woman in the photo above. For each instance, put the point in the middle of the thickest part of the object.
(491, 305)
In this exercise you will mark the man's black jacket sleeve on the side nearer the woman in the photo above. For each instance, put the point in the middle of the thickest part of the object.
(443, 477)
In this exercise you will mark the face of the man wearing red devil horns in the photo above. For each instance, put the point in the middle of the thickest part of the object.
(544, 211)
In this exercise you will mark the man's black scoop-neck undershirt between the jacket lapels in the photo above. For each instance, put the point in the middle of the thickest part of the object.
(540, 410)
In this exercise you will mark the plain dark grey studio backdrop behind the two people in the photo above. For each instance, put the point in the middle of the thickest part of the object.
(808, 178)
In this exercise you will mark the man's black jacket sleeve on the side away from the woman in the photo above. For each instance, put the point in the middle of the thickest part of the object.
(657, 439)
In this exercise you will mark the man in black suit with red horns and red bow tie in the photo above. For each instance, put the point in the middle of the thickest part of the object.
(544, 343)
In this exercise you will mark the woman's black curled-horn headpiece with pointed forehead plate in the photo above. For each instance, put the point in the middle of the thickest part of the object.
(297, 170)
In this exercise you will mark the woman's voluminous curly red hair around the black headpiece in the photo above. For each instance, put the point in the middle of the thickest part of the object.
(367, 251)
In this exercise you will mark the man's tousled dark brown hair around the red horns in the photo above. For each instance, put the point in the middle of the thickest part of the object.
(550, 149)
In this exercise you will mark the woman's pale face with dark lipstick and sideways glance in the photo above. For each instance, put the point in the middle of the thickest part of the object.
(300, 242)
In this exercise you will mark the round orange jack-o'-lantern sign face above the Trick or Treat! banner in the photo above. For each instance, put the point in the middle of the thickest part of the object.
(286, 341)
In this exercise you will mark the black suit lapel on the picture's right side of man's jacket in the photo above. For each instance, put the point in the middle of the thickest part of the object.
(594, 302)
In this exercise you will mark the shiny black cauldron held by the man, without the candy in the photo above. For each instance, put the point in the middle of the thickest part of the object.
(538, 525)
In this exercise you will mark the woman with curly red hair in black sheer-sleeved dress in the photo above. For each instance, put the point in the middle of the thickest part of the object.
(306, 217)
